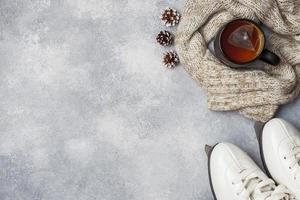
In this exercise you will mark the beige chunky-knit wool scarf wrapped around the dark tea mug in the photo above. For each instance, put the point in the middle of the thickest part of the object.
(256, 94)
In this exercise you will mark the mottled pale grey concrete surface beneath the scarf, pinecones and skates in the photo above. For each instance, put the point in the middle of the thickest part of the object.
(89, 112)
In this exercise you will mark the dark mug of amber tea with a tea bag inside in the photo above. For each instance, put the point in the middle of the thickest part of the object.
(241, 42)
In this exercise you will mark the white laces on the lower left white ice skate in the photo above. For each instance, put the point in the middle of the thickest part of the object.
(254, 188)
